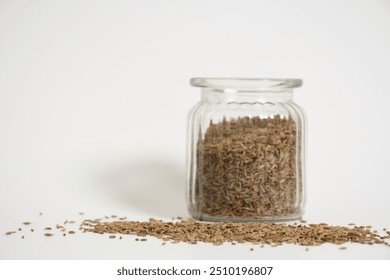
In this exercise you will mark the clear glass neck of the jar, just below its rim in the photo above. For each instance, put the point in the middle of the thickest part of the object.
(227, 96)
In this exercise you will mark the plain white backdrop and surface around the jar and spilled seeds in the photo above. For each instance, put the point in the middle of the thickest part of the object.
(94, 97)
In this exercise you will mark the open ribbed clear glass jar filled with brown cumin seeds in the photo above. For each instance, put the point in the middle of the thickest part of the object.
(246, 150)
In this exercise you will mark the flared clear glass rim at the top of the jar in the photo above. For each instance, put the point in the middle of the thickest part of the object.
(246, 84)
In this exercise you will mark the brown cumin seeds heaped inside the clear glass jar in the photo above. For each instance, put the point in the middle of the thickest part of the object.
(249, 167)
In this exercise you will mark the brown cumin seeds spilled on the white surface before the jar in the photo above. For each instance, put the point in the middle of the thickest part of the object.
(217, 233)
